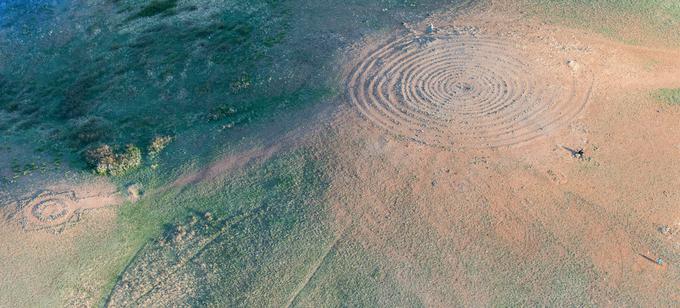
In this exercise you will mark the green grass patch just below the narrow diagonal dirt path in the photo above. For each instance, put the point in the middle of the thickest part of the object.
(275, 216)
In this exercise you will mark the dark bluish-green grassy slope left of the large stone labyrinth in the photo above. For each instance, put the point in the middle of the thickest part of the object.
(124, 72)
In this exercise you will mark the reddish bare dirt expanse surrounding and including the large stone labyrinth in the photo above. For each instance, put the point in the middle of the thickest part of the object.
(489, 176)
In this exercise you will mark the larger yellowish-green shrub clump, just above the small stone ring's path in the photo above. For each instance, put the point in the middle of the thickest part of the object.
(106, 161)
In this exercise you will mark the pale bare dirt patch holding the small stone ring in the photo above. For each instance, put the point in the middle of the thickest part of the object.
(43, 232)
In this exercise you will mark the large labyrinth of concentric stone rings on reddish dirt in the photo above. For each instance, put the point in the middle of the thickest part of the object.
(464, 92)
